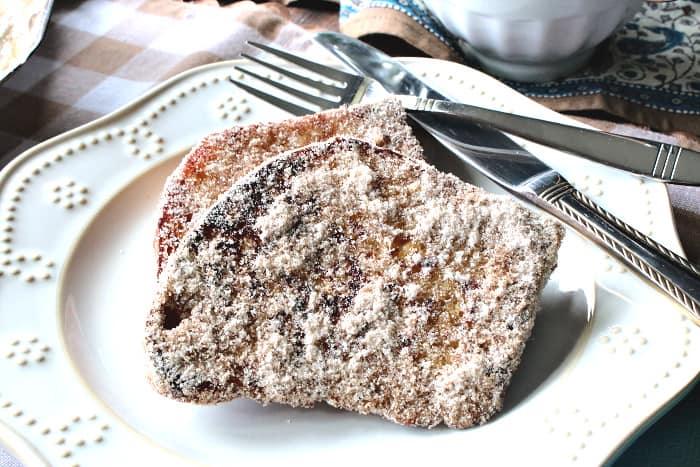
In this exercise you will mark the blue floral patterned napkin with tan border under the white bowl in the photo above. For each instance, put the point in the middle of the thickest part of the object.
(647, 73)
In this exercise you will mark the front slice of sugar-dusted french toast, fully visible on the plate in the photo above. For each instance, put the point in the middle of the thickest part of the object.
(351, 274)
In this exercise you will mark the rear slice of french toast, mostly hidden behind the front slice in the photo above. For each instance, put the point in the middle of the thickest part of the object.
(220, 159)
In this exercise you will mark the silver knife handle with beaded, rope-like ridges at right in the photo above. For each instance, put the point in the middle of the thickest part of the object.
(670, 272)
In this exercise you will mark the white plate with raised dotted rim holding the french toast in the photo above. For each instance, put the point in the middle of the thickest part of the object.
(77, 272)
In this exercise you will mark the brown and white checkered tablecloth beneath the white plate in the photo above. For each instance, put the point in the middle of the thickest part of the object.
(97, 55)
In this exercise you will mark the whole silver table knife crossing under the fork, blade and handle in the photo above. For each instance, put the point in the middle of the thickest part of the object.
(528, 178)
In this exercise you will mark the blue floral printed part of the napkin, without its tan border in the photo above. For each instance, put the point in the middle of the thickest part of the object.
(653, 61)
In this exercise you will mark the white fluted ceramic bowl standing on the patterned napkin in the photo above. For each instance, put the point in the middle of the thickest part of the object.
(532, 40)
